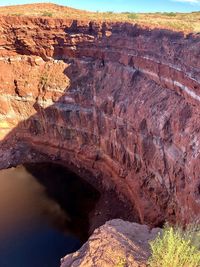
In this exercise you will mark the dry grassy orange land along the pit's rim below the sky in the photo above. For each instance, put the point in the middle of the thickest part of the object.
(187, 22)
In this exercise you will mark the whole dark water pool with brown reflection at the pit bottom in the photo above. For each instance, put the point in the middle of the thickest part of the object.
(43, 215)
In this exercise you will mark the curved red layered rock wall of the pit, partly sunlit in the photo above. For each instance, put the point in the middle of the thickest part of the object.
(118, 103)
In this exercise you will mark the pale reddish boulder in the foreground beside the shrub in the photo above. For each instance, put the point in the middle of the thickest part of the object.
(117, 243)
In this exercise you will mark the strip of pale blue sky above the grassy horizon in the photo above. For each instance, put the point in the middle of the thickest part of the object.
(122, 5)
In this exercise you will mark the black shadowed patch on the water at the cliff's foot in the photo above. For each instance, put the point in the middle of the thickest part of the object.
(74, 195)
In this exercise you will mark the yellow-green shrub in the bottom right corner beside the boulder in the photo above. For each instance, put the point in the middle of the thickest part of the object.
(176, 248)
